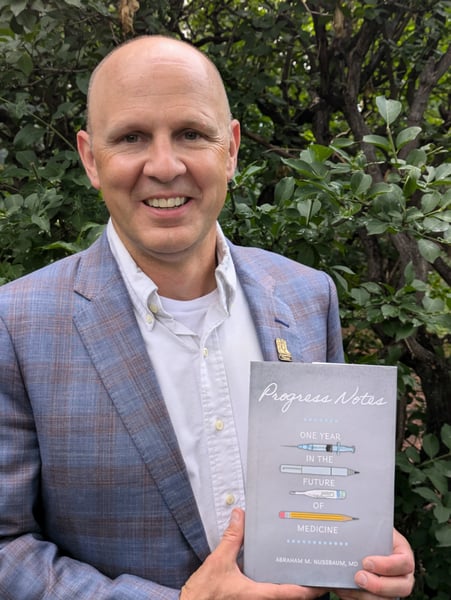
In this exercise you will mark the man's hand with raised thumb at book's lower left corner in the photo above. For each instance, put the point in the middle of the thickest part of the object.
(220, 578)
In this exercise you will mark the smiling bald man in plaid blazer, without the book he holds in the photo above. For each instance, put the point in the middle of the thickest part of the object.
(124, 369)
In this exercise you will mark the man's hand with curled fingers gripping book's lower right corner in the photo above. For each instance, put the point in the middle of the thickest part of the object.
(385, 576)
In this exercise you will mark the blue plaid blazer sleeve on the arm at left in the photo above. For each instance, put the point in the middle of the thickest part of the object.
(31, 567)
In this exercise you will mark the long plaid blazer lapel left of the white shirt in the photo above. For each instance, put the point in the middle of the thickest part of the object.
(108, 328)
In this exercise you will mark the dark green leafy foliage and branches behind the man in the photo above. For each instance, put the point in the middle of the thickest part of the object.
(345, 165)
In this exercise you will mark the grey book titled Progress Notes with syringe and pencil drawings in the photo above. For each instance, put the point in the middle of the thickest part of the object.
(320, 471)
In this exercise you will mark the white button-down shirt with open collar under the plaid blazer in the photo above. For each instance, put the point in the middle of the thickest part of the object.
(201, 351)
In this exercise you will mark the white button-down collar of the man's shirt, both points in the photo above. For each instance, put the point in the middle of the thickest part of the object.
(144, 292)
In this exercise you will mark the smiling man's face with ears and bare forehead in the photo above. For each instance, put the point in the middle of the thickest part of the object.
(161, 149)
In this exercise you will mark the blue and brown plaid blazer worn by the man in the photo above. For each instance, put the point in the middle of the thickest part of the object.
(95, 501)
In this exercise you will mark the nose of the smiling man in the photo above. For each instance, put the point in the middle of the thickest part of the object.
(163, 161)
